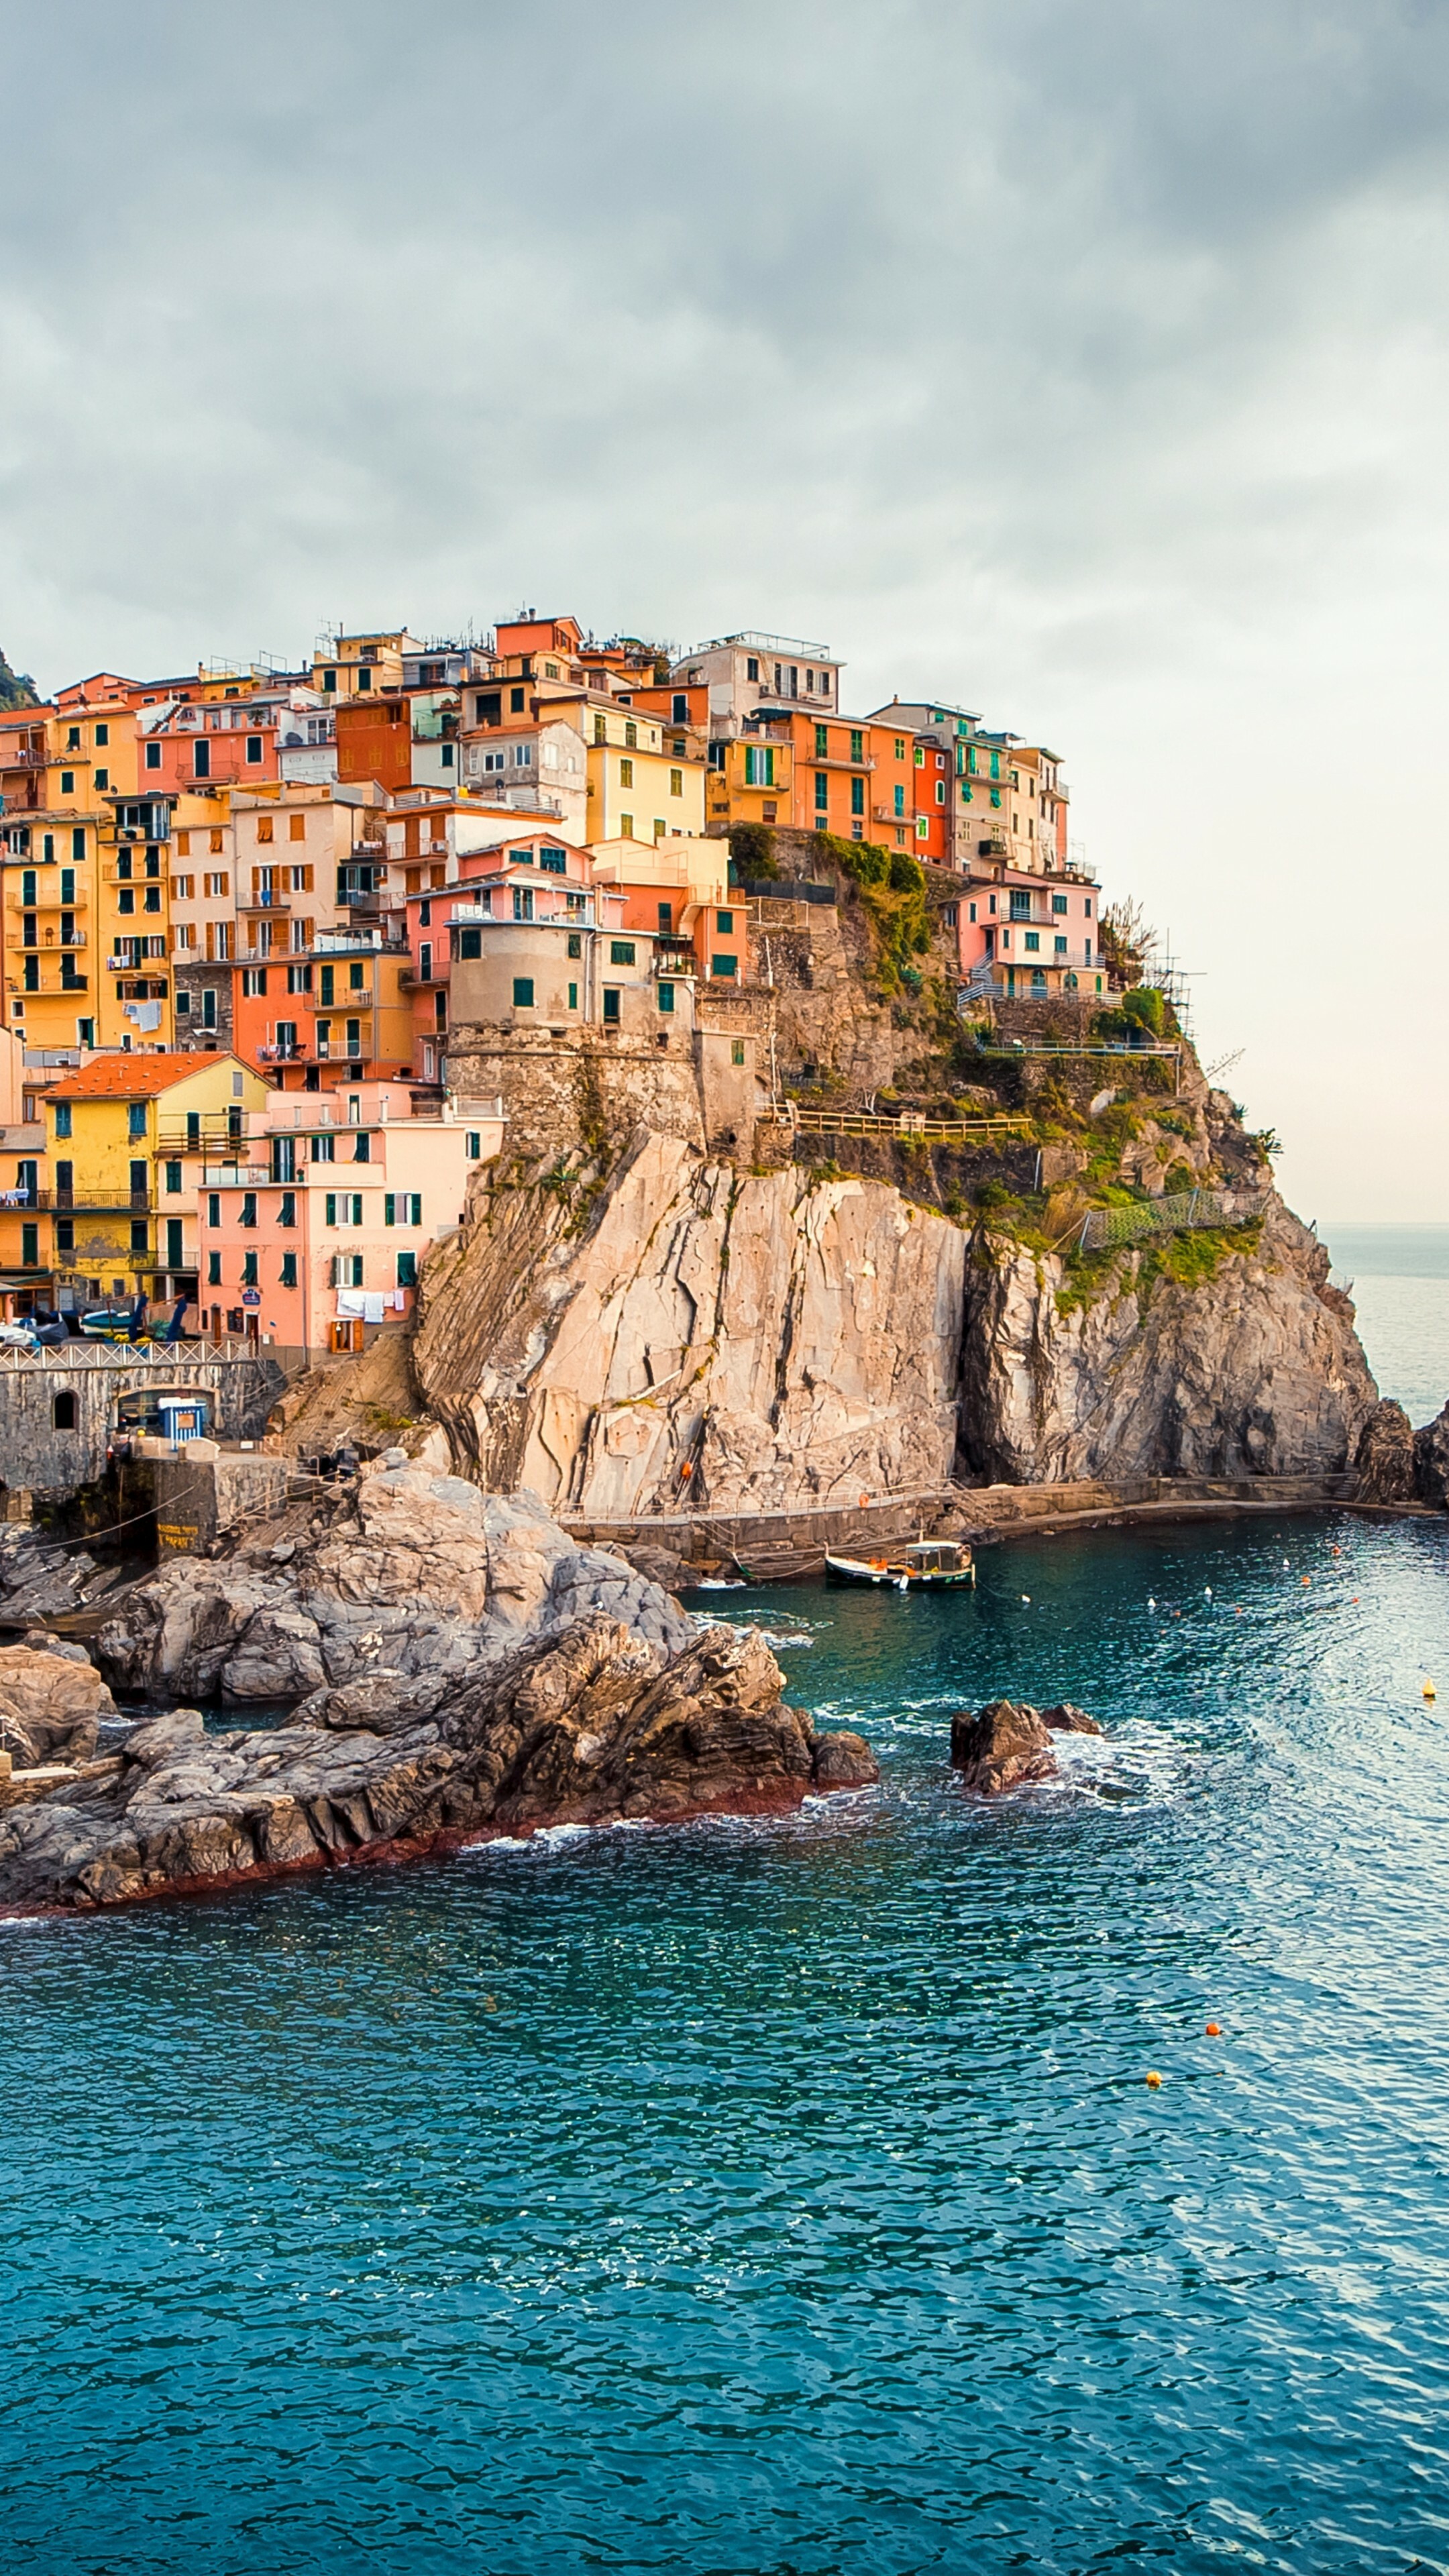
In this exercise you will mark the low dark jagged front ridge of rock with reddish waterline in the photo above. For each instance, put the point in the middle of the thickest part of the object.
(584, 1725)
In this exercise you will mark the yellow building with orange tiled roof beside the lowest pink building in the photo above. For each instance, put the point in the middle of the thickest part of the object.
(125, 1137)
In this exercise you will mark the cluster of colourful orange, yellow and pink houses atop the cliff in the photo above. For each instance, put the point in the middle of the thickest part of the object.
(249, 916)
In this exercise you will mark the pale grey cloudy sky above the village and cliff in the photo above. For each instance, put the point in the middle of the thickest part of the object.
(1076, 365)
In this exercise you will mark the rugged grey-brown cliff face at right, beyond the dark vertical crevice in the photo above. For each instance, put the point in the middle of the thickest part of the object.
(1254, 1372)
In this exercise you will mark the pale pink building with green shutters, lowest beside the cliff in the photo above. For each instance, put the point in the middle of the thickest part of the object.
(321, 1220)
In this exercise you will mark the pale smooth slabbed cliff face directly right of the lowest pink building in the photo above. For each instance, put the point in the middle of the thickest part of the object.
(708, 1341)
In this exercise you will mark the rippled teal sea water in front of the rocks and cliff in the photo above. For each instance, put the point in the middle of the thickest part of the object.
(788, 2196)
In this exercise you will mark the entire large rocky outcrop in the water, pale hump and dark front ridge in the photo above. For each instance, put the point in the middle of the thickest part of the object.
(460, 1671)
